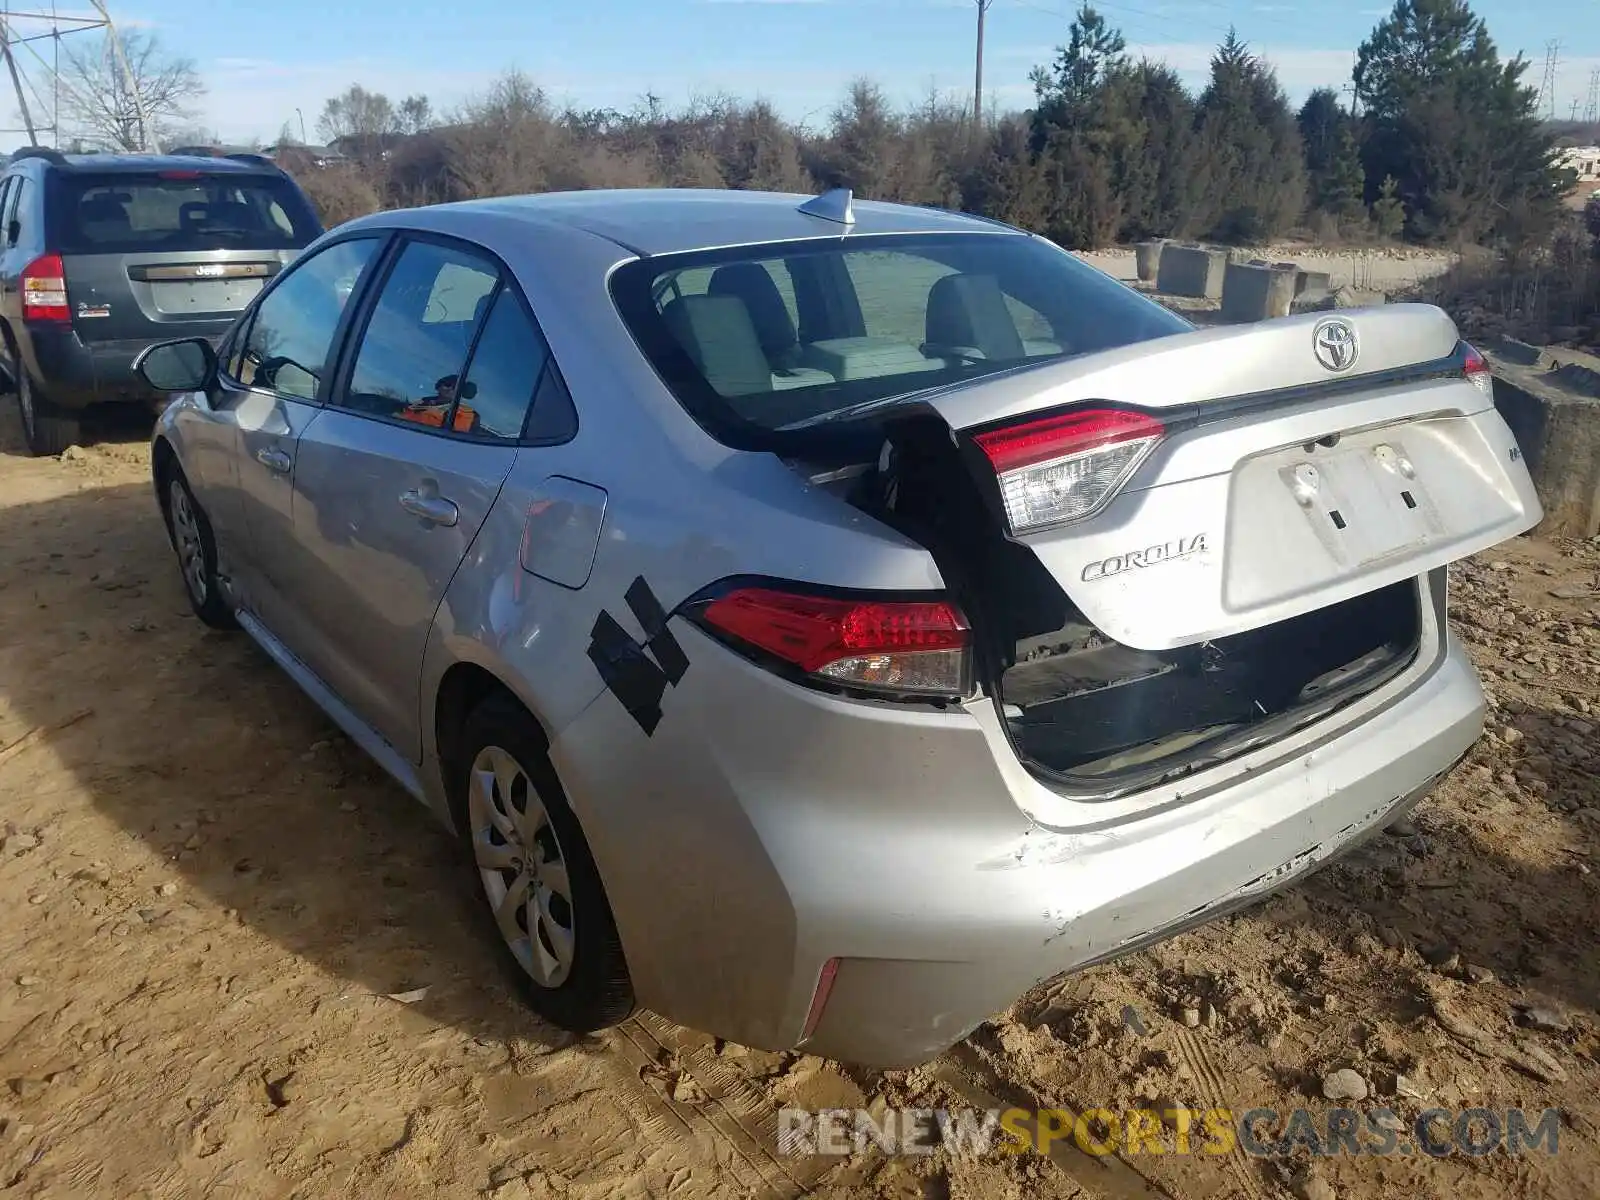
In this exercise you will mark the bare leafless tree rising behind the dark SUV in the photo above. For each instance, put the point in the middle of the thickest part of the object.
(129, 102)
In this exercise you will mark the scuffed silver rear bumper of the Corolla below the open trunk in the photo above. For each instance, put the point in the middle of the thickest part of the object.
(766, 830)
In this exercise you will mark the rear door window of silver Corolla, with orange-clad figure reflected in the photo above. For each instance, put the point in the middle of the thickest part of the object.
(415, 348)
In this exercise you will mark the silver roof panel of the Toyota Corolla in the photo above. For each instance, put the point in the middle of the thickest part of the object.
(666, 220)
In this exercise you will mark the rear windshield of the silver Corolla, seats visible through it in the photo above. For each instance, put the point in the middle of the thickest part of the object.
(767, 338)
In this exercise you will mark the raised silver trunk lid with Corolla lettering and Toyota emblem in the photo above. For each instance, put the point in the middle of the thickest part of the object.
(1214, 482)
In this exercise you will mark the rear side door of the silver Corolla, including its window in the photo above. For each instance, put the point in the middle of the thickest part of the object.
(396, 476)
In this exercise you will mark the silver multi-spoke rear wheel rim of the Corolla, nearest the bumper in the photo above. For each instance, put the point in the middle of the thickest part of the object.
(522, 866)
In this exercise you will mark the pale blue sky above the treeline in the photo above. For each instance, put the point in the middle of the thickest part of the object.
(268, 65)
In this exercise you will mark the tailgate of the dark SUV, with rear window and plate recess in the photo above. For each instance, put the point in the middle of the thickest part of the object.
(172, 254)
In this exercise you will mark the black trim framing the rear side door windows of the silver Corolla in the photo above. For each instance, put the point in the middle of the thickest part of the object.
(506, 281)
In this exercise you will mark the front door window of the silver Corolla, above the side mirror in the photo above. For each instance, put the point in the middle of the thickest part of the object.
(292, 334)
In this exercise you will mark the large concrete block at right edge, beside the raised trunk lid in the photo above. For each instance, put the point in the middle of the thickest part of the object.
(1559, 438)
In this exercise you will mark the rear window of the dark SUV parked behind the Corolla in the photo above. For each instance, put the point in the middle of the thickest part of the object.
(180, 212)
